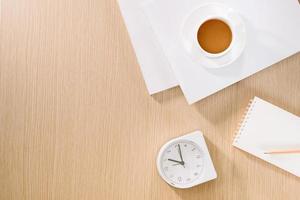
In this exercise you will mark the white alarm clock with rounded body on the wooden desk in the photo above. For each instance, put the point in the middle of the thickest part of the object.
(185, 162)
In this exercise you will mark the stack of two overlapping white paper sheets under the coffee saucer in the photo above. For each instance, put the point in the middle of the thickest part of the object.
(155, 27)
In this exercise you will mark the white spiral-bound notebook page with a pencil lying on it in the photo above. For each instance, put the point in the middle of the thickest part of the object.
(267, 127)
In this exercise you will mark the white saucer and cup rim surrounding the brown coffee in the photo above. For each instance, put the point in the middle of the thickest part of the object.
(199, 16)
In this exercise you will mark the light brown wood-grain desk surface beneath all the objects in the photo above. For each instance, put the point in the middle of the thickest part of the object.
(76, 121)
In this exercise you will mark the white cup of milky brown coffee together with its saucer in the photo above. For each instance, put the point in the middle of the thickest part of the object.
(213, 35)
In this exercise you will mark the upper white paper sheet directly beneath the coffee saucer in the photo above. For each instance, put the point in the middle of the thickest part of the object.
(273, 29)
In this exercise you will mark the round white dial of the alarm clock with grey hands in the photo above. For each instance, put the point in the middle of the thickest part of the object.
(182, 163)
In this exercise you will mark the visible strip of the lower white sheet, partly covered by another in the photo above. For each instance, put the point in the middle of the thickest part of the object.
(156, 70)
